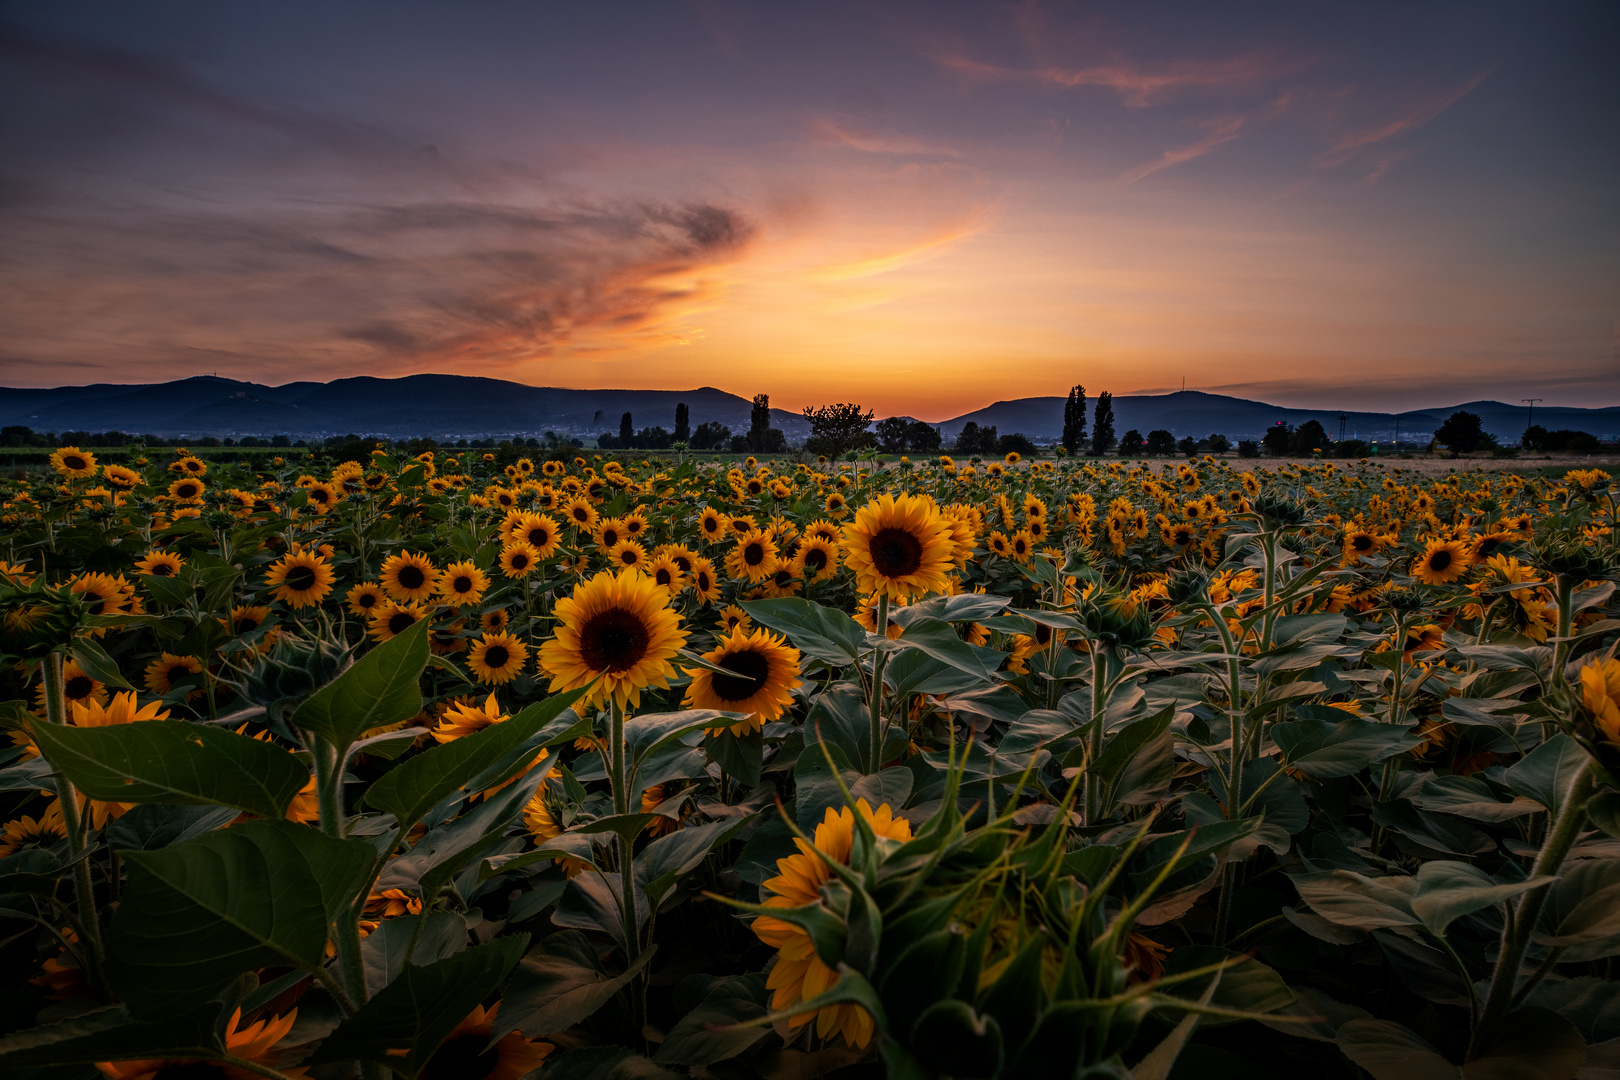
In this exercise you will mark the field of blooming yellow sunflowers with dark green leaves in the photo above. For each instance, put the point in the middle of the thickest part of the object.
(675, 768)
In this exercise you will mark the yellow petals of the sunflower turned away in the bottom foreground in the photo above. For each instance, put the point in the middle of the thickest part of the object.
(799, 972)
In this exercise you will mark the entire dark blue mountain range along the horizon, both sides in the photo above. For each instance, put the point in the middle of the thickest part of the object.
(466, 406)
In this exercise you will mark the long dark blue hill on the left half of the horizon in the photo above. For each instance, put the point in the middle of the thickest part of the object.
(416, 406)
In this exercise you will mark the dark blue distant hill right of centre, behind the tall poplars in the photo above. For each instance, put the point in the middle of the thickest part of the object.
(1196, 414)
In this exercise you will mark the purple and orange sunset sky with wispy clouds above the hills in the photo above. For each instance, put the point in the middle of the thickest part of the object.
(918, 206)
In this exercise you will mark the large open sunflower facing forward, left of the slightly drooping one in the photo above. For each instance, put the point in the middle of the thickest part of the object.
(616, 632)
